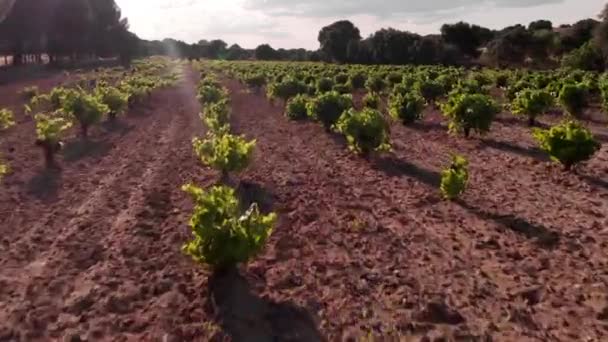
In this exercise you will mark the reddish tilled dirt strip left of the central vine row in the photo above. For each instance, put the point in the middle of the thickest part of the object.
(100, 256)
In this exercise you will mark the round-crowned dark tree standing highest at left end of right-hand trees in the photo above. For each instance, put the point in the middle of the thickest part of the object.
(335, 38)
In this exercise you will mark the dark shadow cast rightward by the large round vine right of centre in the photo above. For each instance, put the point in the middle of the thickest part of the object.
(395, 167)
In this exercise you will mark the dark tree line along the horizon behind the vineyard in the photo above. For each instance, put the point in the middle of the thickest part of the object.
(79, 29)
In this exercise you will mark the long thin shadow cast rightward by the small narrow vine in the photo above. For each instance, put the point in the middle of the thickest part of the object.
(541, 236)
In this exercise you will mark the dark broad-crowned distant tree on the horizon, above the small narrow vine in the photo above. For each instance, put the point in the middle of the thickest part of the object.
(469, 38)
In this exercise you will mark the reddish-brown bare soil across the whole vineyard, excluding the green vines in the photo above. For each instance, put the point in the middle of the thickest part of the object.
(365, 248)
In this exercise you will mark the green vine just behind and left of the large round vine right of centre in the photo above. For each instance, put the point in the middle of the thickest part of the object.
(327, 108)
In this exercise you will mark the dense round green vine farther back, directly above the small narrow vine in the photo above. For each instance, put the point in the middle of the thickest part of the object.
(470, 111)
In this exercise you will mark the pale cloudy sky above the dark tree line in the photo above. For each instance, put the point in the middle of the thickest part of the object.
(296, 23)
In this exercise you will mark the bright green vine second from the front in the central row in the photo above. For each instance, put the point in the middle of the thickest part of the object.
(224, 152)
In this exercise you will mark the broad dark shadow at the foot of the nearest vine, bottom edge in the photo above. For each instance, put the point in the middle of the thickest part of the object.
(244, 316)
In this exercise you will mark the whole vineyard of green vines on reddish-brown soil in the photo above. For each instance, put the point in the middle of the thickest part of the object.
(300, 201)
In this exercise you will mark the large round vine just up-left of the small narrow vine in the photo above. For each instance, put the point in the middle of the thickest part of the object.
(365, 131)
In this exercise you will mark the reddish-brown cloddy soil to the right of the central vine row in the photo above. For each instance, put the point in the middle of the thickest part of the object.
(369, 248)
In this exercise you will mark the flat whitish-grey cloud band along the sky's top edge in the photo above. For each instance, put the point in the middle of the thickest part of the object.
(387, 8)
